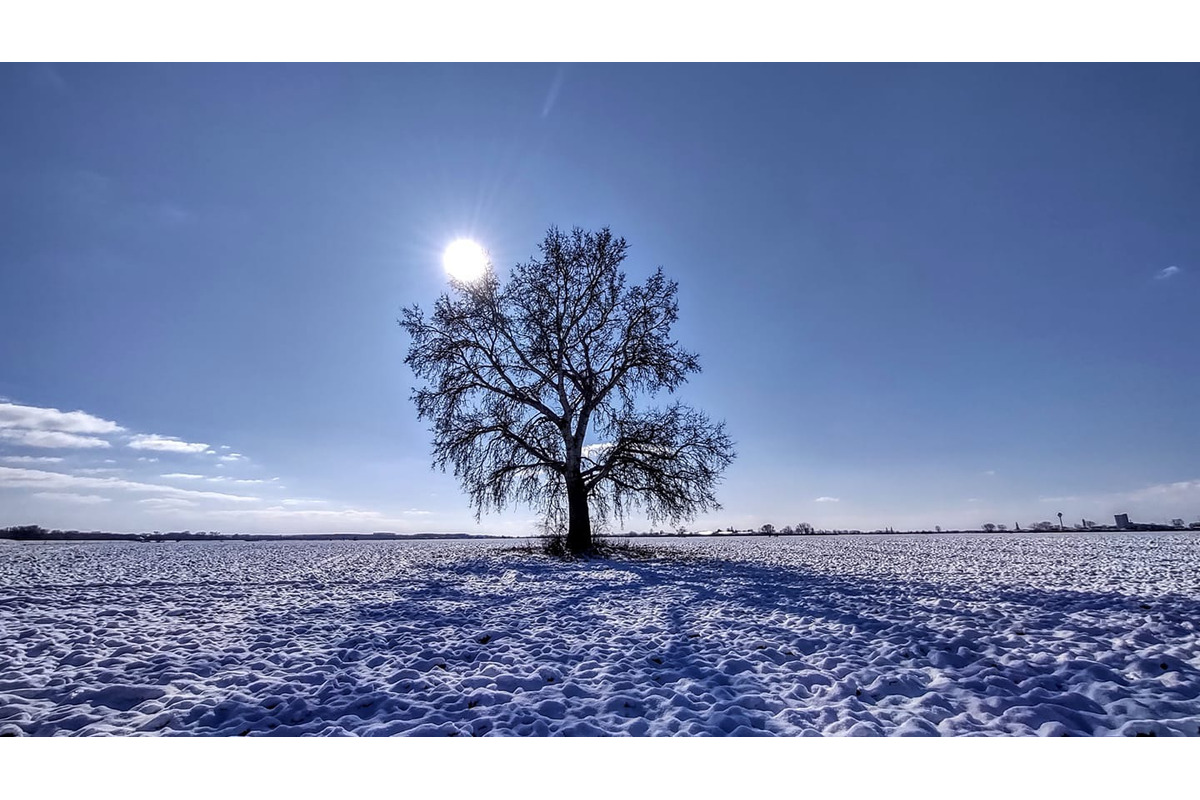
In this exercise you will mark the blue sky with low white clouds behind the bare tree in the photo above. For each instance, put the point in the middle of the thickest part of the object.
(922, 294)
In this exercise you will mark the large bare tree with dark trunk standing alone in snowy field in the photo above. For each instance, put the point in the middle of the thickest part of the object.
(535, 389)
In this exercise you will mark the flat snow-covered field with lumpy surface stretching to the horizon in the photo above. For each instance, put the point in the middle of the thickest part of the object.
(903, 635)
